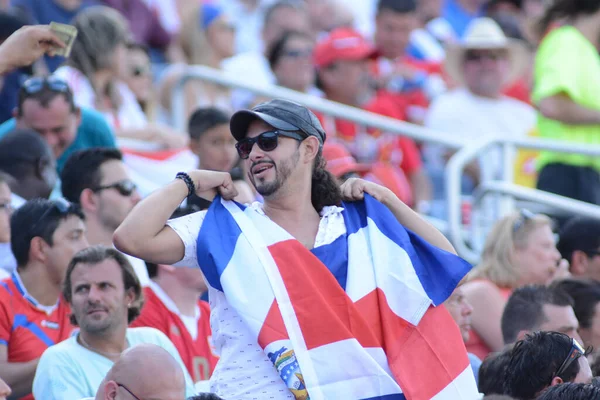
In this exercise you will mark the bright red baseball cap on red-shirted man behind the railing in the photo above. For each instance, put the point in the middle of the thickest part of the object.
(342, 44)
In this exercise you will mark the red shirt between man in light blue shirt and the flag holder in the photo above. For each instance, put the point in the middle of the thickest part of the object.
(197, 354)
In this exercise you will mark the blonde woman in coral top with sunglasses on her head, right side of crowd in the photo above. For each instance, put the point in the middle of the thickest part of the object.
(520, 250)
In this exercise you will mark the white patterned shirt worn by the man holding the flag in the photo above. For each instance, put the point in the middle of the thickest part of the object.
(244, 372)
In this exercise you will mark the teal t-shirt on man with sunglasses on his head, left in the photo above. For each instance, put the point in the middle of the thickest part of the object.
(93, 131)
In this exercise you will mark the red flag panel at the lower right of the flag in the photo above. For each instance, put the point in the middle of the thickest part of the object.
(426, 358)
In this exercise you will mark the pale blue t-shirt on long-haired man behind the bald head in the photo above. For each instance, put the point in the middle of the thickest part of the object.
(68, 370)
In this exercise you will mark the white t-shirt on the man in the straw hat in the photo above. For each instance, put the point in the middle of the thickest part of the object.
(470, 117)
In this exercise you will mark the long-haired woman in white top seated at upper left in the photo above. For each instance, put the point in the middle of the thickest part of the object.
(93, 70)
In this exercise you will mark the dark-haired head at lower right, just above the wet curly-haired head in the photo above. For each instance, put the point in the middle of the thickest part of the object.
(538, 308)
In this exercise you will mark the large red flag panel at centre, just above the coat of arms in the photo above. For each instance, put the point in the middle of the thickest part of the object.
(327, 315)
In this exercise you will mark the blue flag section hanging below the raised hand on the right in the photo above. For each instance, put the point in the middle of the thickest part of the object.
(439, 271)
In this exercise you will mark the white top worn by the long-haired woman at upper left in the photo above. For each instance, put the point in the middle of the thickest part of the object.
(129, 115)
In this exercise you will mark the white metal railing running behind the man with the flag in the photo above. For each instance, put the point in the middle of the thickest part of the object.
(466, 153)
